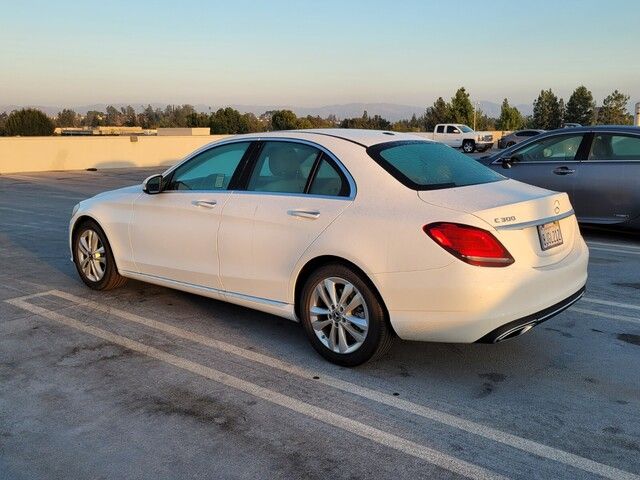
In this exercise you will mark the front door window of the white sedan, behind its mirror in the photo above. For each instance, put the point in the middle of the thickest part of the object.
(210, 170)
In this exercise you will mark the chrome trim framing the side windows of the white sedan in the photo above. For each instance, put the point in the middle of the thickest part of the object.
(352, 184)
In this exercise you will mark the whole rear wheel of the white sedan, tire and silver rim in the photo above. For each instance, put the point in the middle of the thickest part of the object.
(343, 317)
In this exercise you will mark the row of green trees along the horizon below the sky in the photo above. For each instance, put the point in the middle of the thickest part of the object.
(549, 112)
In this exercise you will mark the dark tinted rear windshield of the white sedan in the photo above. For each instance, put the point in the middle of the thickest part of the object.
(422, 165)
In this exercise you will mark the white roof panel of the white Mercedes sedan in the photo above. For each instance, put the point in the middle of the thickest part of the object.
(364, 138)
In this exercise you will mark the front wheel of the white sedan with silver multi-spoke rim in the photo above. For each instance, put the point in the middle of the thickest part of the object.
(94, 259)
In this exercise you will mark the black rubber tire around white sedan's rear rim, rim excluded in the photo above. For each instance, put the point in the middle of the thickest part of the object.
(379, 335)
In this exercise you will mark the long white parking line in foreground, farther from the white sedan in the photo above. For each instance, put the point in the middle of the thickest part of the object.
(381, 437)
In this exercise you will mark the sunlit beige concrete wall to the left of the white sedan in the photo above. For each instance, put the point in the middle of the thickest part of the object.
(39, 154)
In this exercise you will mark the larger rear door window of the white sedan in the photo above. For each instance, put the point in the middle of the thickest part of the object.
(283, 167)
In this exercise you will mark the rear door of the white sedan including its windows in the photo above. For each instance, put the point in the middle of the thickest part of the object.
(293, 191)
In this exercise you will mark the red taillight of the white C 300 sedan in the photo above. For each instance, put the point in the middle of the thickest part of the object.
(470, 244)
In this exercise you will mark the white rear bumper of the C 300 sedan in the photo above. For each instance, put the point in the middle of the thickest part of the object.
(461, 303)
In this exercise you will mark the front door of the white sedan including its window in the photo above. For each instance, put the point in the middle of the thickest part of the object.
(174, 233)
